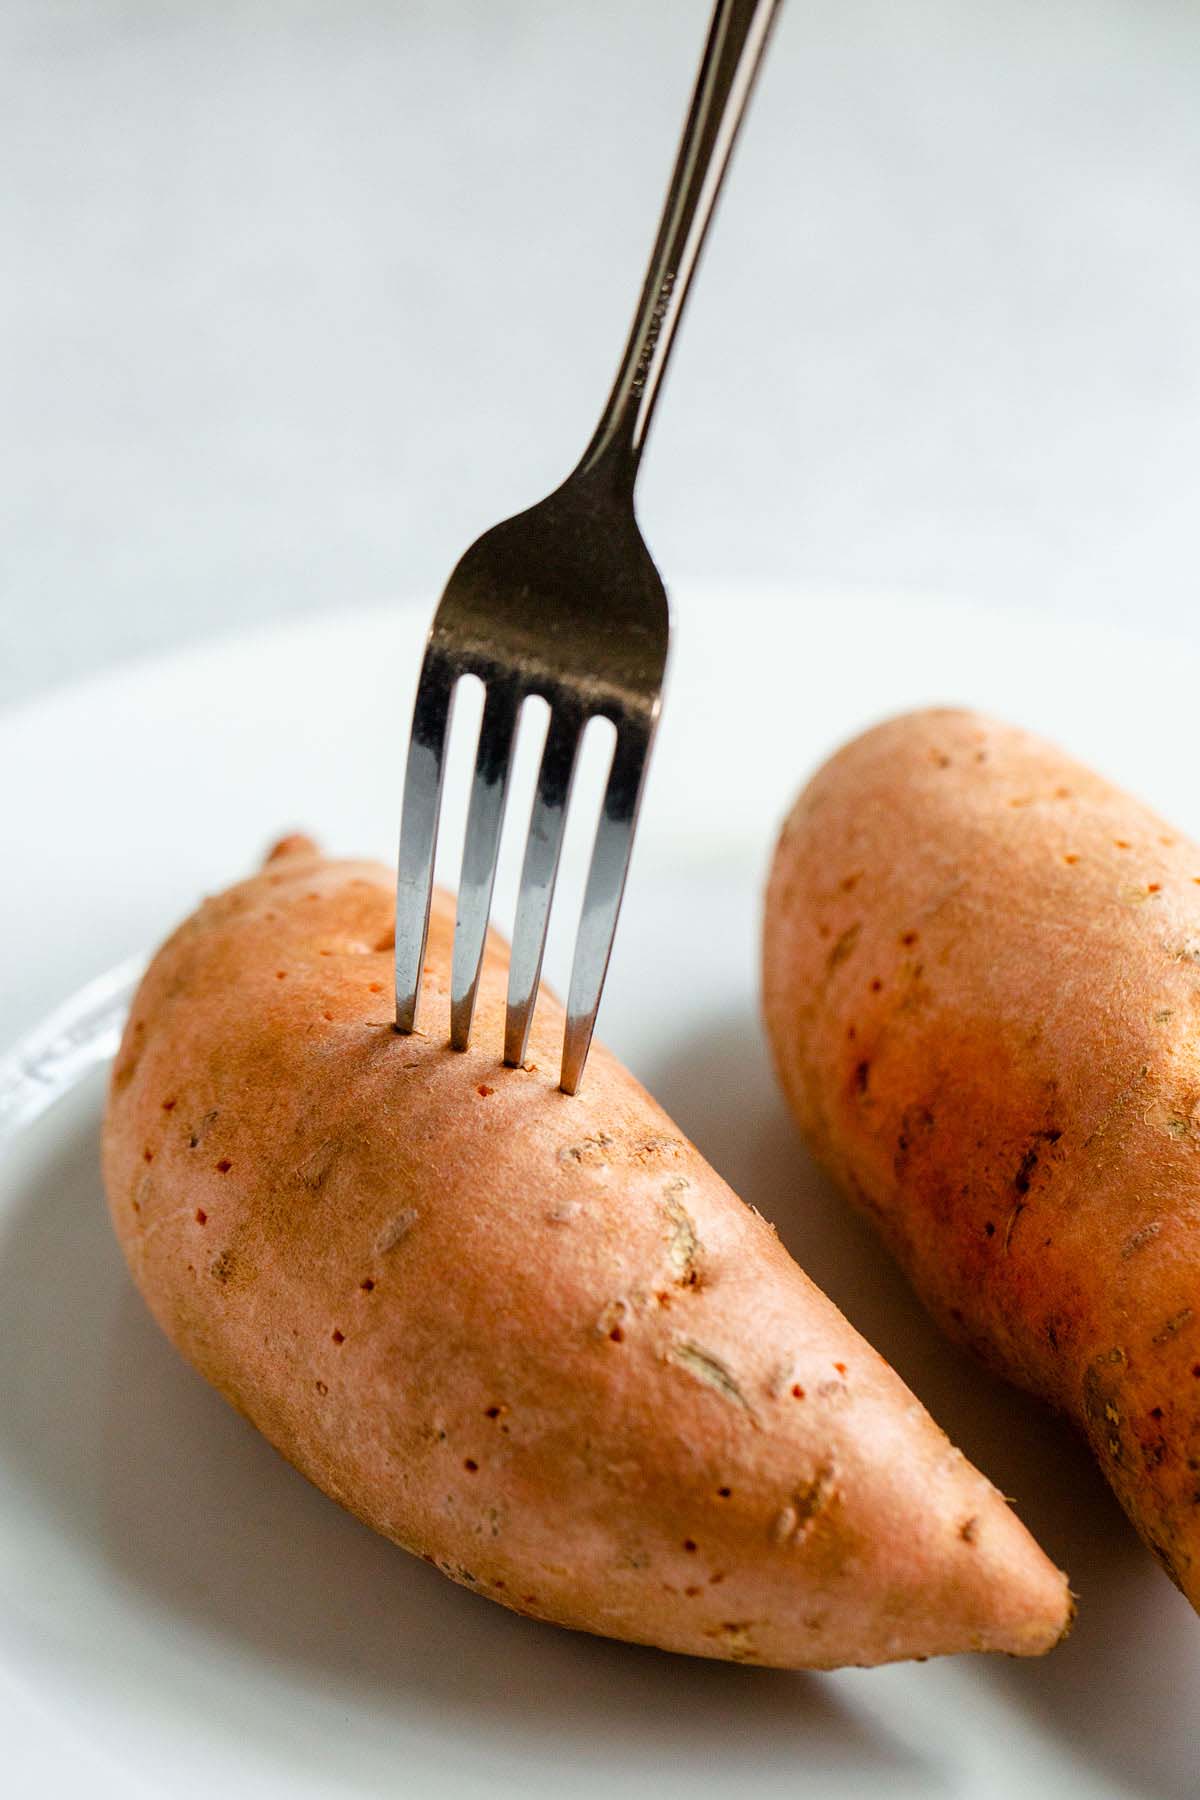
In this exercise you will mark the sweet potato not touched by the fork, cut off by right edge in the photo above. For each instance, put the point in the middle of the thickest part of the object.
(981, 976)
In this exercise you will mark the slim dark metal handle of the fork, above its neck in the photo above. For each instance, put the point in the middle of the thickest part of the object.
(731, 60)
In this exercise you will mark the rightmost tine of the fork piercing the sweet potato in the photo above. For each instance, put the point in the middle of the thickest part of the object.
(602, 899)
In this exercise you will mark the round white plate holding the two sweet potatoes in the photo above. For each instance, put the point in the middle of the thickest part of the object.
(179, 1612)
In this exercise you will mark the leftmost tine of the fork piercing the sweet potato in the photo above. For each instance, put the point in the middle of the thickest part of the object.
(418, 831)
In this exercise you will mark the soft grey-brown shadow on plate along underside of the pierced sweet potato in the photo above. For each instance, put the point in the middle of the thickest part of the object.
(193, 1518)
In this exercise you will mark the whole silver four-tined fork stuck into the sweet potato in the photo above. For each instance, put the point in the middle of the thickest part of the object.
(564, 602)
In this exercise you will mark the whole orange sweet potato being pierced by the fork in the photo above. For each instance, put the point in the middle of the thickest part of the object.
(532, 1338)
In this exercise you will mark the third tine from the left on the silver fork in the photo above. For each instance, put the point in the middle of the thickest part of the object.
(539, 876)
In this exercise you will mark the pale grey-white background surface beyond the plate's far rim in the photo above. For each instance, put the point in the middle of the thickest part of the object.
(301, 294)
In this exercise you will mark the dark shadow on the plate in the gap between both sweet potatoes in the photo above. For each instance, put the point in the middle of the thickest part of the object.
(1115, 1691)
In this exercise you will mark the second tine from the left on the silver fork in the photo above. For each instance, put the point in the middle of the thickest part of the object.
(479, 854)
